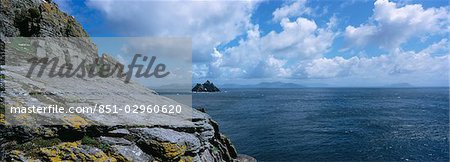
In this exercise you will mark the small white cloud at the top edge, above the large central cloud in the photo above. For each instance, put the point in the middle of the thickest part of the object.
(297, 8)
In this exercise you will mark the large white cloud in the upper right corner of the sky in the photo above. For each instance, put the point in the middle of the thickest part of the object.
(392, 25)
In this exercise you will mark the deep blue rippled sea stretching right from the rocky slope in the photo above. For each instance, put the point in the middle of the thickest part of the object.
(334, 124)
